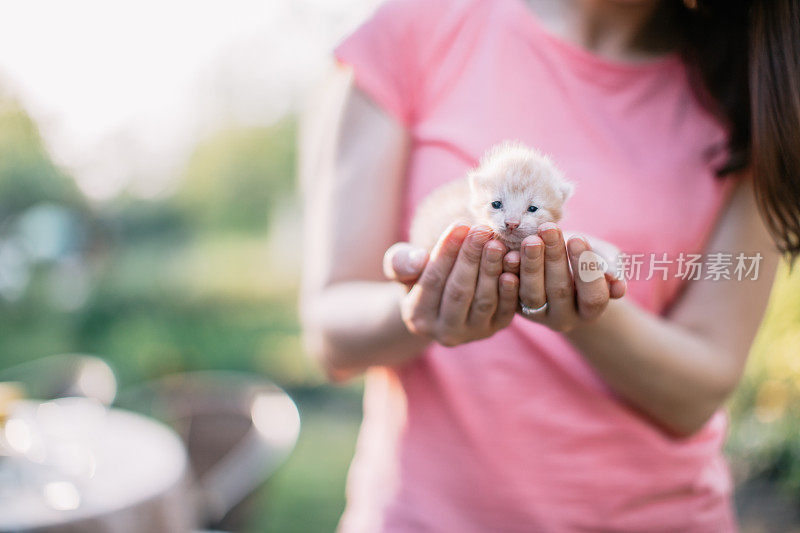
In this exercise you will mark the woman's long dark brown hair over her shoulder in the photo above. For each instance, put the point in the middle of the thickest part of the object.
(745, 60)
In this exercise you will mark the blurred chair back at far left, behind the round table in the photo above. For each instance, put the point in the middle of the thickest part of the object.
(63, 375)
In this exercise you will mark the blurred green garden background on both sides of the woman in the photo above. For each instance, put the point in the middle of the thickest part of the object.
(205, 277)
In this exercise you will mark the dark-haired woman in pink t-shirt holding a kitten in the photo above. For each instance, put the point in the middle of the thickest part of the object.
(680, 125)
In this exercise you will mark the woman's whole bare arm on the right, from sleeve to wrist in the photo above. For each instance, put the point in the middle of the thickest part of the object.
(678, 370)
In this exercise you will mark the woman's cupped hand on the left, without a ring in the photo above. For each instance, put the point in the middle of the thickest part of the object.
(462, 293)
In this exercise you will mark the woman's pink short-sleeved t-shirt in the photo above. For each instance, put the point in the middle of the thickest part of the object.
(518, 432)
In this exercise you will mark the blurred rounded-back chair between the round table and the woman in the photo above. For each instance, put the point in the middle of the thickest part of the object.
(238, 429)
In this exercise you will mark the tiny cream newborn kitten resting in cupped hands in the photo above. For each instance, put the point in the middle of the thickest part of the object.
(513, 190)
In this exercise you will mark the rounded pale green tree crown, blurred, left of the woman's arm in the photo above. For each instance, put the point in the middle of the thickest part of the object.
(234, 179)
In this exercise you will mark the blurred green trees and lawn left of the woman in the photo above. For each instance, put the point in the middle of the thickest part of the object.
(185, 283)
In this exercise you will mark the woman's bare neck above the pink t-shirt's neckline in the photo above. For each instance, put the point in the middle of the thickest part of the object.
(616, 29)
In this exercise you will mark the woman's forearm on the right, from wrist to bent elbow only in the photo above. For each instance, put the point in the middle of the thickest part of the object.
(674, 376)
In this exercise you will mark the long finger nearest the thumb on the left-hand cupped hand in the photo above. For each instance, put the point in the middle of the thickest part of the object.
(425, 296)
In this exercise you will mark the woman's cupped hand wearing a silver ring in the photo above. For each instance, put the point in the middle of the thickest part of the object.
(545, 277)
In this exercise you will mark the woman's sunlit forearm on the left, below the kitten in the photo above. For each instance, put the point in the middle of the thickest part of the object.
(353, 325)
